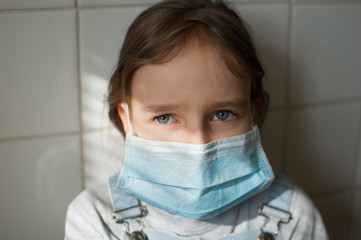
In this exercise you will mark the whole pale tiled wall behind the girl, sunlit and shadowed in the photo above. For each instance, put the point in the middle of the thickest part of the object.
(56, 57)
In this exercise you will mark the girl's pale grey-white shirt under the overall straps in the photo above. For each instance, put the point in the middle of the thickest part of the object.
(89, 217)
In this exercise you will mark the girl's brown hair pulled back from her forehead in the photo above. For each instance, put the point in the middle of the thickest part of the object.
(163, 30)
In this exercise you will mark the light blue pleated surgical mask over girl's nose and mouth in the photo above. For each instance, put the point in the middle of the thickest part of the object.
(196, 181)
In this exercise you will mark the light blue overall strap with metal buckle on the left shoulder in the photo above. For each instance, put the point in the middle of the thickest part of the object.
(124, 206)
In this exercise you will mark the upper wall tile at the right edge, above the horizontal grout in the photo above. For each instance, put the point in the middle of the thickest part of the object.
(325, 53)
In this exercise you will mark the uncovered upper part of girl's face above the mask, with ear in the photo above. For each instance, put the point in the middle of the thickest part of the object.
(192, 98)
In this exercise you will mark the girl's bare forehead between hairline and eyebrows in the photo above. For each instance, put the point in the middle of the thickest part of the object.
(197, 73)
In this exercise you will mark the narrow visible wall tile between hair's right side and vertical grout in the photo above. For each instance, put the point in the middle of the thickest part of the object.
(269, 24)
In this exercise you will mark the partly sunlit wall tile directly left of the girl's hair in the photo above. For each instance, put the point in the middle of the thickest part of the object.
(102, 34)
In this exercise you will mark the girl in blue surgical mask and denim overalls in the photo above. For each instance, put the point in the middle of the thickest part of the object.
(187, 94)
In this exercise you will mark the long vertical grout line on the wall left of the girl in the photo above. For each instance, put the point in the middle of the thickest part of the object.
(80, 103)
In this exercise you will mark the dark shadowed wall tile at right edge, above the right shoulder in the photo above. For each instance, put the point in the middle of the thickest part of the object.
(322, 145)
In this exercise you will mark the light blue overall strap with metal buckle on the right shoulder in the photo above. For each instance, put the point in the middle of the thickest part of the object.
(274, 205)
